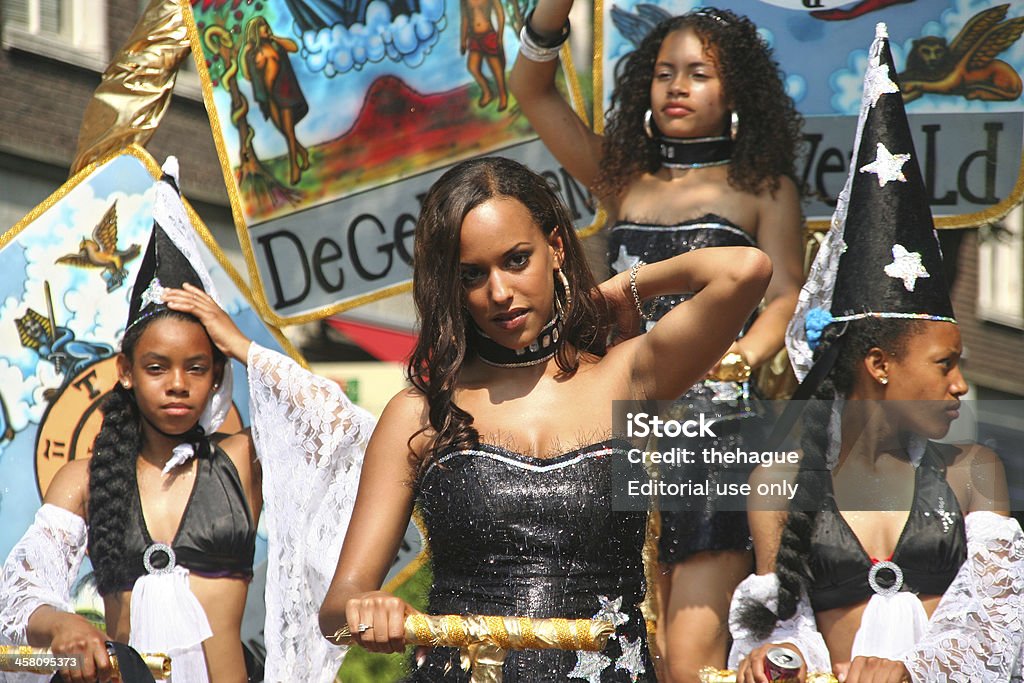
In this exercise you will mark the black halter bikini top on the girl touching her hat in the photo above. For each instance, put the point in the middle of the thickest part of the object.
(217, 537)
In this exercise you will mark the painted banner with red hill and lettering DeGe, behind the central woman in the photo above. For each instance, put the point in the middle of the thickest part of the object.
(332, 120)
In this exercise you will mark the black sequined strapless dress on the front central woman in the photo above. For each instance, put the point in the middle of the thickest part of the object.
(513, 535)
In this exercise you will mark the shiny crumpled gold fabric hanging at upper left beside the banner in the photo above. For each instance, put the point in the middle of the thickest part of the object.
(136, 90)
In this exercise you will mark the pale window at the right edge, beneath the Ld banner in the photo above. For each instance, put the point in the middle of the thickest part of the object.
(1001, 271)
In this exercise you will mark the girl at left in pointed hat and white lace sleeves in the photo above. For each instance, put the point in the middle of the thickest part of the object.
(168, 506)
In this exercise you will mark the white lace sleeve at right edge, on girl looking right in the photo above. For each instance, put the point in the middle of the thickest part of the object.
(976, 632)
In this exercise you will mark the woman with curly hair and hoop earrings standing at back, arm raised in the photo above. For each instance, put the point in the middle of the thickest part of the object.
(699, 151)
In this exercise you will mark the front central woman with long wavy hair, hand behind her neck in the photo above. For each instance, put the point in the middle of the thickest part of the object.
(505, 441)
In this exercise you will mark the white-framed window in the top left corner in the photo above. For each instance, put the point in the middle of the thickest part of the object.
(72, 31)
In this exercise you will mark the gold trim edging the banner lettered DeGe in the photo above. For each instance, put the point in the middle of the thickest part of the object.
(238, 214)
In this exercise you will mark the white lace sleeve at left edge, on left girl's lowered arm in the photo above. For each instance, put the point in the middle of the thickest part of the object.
(40, 570)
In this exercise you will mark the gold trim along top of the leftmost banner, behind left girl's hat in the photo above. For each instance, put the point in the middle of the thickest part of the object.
(154, 168)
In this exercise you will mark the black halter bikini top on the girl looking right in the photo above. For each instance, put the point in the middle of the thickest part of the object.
(929, 553)
